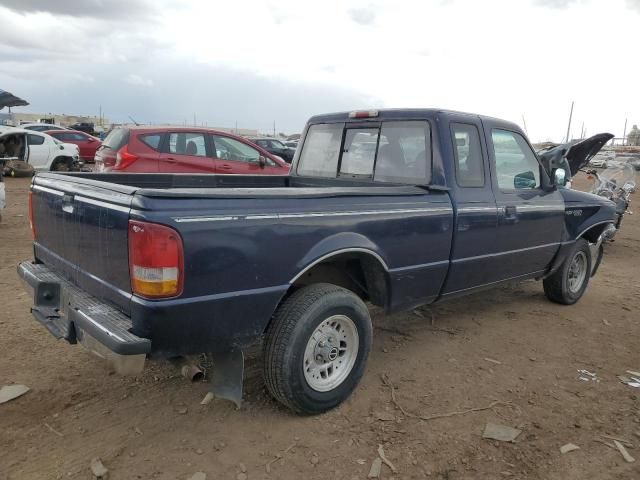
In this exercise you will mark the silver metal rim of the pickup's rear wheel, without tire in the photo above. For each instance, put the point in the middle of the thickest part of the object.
(331, 353)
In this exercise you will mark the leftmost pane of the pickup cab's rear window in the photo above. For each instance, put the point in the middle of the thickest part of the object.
(321, 150)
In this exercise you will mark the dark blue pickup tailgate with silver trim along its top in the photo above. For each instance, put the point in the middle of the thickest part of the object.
(81, 232)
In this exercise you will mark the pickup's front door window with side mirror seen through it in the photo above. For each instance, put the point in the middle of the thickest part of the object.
(516, 164)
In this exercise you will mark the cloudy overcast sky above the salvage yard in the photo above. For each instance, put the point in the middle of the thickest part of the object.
(255, 62)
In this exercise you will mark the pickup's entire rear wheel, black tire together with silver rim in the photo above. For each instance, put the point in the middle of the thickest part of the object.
(316, 348)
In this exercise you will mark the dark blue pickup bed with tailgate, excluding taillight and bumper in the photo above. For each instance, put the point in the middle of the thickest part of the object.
(246, 239)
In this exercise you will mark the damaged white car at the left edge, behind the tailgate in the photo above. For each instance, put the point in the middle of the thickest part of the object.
(41, 151)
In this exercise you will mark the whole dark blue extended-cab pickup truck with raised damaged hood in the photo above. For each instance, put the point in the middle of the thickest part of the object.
(398, 208)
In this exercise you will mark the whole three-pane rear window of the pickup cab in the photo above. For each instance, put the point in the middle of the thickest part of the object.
(391, 151)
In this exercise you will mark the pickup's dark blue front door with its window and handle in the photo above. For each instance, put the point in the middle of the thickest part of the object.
(530, 219)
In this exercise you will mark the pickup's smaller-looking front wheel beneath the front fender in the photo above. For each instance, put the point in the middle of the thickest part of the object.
(559, 287)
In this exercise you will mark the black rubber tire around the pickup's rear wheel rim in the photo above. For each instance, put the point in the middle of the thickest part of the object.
(289, 334)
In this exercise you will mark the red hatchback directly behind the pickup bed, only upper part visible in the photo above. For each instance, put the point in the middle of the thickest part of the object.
(184, 150)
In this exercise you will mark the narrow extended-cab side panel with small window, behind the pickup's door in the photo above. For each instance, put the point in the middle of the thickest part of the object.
(476, 212)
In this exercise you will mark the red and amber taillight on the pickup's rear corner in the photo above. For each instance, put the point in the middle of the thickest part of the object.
(156, 263)
